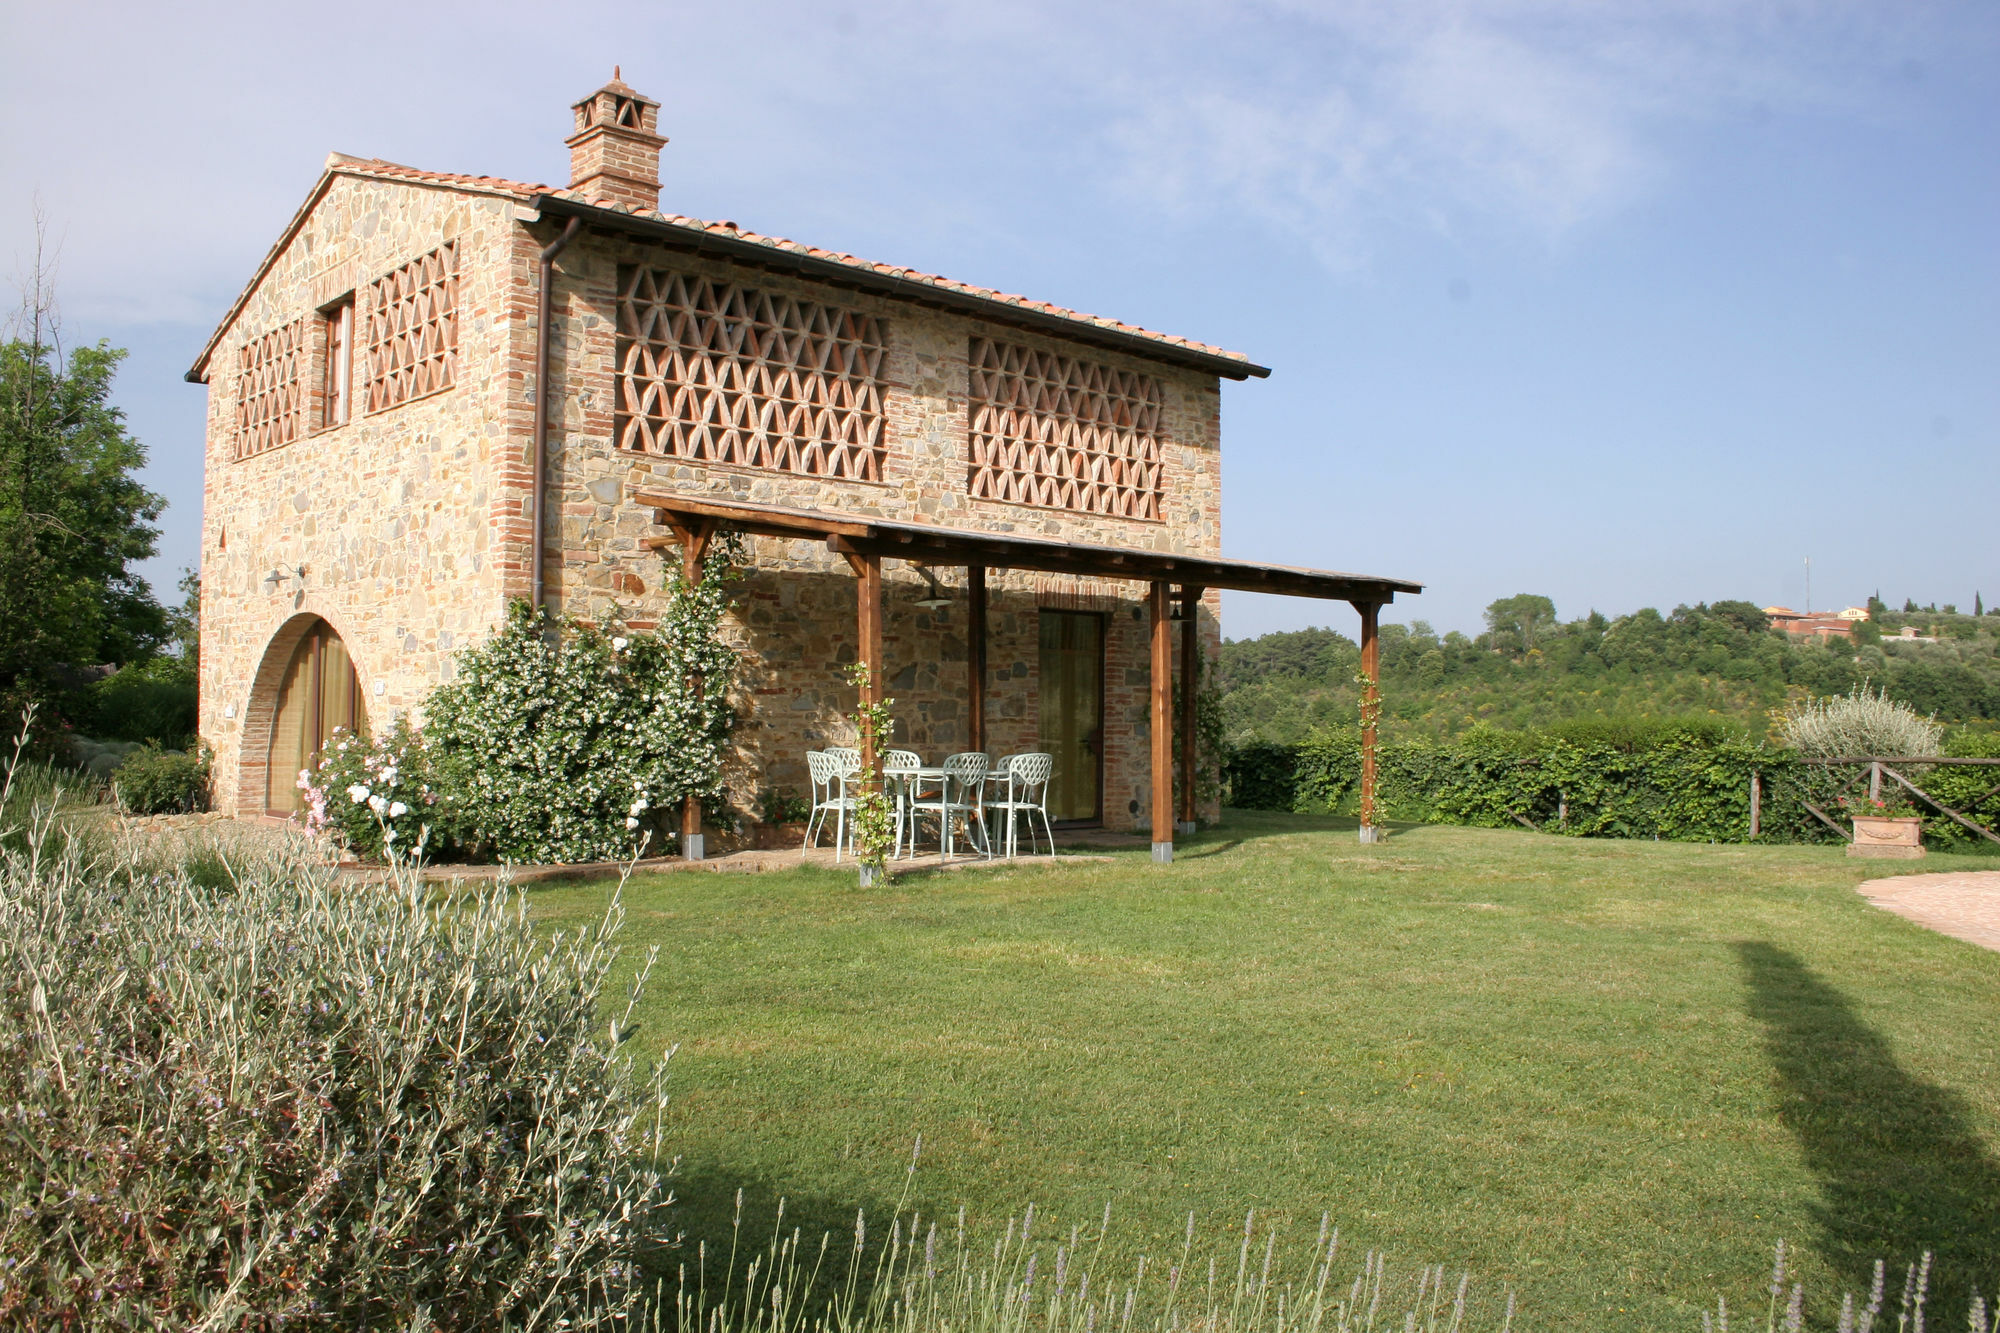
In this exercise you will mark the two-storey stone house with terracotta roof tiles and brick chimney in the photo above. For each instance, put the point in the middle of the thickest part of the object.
(441, 393)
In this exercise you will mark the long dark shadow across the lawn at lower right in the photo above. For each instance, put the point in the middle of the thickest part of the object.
(1899, 1162)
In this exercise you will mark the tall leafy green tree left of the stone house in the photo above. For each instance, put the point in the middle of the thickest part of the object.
(73, 515)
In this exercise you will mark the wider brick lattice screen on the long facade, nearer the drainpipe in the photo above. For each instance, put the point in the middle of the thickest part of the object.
(725, 373)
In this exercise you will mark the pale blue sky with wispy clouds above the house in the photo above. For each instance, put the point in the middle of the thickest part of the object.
(1621, 303)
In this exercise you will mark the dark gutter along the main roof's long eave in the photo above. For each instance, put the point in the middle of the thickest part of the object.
(907, 289)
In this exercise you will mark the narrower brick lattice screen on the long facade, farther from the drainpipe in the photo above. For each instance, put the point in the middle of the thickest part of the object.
(1063, 433)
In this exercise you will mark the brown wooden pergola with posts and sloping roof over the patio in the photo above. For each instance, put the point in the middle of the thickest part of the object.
(865, 543)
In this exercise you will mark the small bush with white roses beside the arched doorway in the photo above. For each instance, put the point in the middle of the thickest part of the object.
(377, 796)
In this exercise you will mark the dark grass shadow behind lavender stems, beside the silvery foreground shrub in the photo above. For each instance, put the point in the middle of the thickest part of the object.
(705, 1220)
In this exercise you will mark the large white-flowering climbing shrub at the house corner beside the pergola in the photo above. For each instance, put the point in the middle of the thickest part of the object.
(563, 742)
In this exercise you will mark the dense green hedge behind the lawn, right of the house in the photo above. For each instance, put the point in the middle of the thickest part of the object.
(1683, 784)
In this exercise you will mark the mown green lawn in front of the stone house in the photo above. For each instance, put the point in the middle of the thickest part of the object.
(1607, 1076)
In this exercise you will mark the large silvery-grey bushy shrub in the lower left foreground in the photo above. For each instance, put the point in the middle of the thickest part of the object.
(305, 1106)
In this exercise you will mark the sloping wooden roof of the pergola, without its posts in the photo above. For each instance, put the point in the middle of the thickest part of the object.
(937, 545)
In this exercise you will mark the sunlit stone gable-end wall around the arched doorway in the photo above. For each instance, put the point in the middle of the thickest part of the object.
(401, 519)
